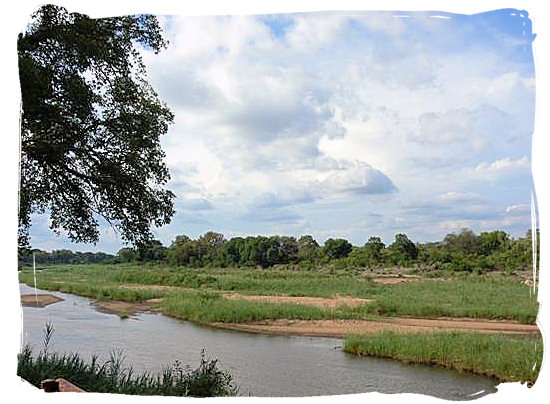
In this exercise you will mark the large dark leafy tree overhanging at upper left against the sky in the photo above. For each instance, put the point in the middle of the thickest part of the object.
(90, 126)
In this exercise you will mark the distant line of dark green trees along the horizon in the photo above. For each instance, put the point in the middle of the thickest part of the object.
(462, 251)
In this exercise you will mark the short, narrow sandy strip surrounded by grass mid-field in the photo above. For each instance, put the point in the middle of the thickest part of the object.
(310, 301)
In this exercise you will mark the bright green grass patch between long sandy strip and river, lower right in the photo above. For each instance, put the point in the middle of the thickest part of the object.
(509, 359)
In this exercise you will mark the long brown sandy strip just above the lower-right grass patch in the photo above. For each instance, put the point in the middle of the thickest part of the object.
(340, 328)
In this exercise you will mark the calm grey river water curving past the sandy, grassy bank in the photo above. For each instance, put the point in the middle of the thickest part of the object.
(262, 365)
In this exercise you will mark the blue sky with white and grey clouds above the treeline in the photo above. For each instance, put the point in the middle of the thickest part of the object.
(344, 125)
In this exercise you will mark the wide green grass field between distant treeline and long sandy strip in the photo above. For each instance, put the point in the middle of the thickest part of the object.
(474, 296)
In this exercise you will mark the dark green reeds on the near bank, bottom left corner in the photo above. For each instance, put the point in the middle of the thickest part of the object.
(207, 380)
